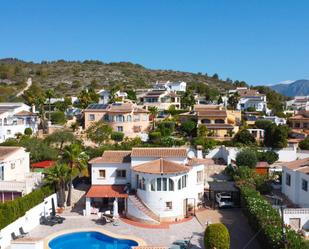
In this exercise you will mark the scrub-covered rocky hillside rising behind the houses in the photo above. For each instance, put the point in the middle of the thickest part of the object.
(69, 77)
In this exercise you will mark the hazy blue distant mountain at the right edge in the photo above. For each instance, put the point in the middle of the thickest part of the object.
(296, 88)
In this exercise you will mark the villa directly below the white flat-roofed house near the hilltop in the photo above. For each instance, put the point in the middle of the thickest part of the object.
(162, 99)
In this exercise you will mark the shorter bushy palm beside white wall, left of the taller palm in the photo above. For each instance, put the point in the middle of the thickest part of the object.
(58, 176)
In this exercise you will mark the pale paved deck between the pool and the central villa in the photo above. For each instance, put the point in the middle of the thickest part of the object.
(152, 237)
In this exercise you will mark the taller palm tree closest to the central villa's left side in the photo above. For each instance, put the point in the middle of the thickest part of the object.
(77, 160)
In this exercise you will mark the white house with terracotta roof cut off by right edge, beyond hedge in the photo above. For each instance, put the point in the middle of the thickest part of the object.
(295, 179)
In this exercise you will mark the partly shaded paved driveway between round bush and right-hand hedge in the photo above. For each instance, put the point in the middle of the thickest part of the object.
(236, 222)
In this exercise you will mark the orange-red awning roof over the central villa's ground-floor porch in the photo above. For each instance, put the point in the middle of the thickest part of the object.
(107, 191)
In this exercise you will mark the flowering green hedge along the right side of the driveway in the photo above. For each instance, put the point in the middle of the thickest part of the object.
(263, 218)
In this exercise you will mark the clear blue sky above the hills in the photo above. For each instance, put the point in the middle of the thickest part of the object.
(259, 41)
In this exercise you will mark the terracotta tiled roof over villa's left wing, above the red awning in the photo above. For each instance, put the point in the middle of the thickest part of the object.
(113, 156)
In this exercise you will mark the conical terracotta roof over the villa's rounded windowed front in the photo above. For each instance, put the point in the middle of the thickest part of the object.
(161, 166)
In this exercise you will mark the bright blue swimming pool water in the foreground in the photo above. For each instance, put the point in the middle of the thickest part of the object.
(89, 240)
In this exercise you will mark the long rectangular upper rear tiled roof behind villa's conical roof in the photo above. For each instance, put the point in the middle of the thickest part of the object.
(159, 152)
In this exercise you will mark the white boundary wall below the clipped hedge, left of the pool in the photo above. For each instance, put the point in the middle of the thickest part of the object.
(29, 221)
